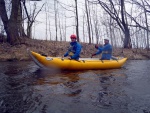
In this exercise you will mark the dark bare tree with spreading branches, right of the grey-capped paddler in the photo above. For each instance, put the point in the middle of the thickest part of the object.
(120, 19)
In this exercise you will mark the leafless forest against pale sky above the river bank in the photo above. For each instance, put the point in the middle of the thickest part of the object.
(124, 22)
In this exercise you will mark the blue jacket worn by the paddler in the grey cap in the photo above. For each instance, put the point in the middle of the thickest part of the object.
(106, 51)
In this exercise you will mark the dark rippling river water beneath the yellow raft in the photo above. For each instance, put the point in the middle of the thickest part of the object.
(25, 88)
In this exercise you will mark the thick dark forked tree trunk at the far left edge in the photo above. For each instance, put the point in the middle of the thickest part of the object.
(10, 25)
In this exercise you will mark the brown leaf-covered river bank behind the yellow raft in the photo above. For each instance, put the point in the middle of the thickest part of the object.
(18, 52)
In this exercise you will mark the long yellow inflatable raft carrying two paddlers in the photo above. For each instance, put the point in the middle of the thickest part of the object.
(81, 64)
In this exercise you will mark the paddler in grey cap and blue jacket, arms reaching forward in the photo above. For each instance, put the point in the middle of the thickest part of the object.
(106, 50)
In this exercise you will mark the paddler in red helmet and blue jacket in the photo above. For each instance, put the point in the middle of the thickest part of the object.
(74, 49)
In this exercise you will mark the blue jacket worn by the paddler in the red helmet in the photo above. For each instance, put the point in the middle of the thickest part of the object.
(75, 48)
